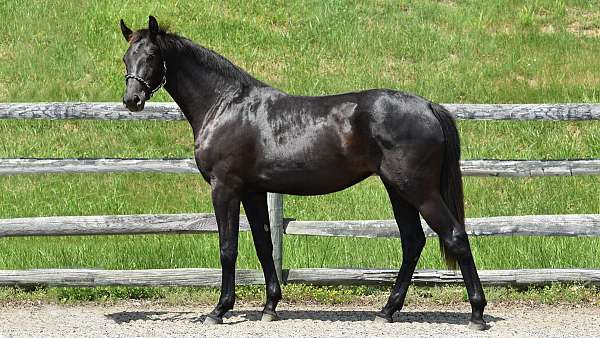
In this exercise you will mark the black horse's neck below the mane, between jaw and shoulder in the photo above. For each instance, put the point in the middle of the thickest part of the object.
(196, 89)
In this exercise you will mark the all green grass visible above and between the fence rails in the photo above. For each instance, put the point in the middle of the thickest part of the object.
(463, 51)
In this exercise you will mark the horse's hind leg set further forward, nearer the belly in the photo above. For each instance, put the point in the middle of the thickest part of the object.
(413, 241)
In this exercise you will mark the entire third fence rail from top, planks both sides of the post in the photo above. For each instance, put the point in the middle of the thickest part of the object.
(536, 225)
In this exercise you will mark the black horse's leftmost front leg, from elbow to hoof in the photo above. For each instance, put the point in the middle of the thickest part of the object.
(226, 203)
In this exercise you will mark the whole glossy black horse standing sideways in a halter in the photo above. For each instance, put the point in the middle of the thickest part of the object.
(251, 138)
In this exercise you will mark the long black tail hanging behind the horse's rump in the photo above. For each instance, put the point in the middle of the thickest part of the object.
(451, 178)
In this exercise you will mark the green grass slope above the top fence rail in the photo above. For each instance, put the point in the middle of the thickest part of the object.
(467, 51)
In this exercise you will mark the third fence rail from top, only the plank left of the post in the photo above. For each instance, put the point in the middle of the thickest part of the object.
(111, 225)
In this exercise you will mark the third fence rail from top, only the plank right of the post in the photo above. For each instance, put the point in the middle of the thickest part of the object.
(535, 225)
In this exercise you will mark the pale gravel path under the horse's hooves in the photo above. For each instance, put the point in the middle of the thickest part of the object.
(135, 320)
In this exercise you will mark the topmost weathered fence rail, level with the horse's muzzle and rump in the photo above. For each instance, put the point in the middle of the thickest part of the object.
(168, 111)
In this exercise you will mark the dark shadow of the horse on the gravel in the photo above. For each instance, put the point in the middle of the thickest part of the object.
(434, 317)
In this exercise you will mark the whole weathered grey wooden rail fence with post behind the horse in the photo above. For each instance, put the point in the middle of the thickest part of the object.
(538, 225)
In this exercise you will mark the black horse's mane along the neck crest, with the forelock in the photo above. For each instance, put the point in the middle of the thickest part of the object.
(174, 44)
